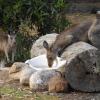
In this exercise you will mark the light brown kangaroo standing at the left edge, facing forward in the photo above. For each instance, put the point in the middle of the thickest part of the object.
(8, 44)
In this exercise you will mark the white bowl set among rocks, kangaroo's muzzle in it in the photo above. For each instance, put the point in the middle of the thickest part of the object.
(40, 63)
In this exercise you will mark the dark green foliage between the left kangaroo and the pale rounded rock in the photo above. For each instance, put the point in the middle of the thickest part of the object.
(24, 44)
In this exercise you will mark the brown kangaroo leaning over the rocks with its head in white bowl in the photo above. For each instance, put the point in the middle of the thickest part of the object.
(66, 38)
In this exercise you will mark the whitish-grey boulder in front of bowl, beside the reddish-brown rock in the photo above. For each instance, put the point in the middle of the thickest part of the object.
(39, 80)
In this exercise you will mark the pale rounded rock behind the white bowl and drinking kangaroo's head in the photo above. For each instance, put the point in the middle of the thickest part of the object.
(37, 47)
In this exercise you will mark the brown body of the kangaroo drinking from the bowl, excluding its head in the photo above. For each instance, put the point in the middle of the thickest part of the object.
(71, 35)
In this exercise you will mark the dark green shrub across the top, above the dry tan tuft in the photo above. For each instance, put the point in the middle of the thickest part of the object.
(47, 16)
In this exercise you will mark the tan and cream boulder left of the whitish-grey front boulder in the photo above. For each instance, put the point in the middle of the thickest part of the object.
(21, 71)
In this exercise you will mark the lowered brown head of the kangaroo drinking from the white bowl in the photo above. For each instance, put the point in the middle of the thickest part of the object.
(51, 54)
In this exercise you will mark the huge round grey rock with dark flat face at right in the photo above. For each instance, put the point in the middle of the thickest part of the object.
(83, 67)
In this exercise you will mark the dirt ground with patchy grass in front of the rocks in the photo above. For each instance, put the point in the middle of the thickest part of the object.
(12, 90)
